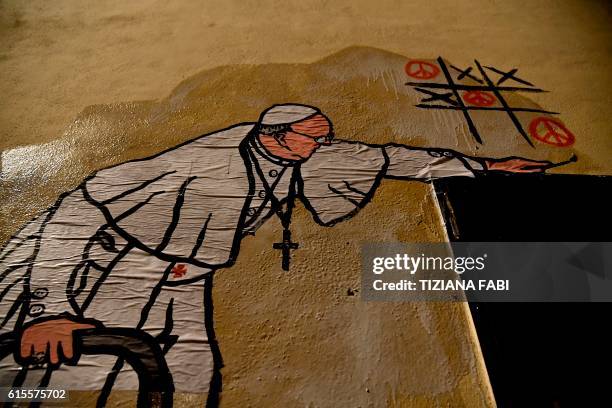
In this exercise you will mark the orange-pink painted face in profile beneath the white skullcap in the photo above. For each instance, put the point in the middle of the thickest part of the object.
(305, 137)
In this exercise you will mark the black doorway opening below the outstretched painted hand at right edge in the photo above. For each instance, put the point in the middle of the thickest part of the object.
(537, 354)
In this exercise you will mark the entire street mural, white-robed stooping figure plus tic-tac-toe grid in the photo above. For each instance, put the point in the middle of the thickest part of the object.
(113, 284)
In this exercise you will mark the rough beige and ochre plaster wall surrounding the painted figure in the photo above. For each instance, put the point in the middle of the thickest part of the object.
(86, 87)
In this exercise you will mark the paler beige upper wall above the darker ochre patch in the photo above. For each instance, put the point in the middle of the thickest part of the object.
(58, 58)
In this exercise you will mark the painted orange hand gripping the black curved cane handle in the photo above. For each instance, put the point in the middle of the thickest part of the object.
(50, 341)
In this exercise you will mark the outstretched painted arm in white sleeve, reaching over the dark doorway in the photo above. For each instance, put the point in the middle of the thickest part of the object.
(341, 178)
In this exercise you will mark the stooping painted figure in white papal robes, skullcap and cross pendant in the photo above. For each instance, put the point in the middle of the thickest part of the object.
(136, 244)
